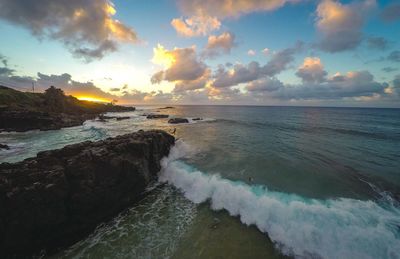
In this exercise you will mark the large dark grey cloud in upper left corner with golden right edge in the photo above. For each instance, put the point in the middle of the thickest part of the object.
(86, 28)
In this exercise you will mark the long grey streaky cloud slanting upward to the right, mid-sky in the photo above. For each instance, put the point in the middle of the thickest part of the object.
(240, 73)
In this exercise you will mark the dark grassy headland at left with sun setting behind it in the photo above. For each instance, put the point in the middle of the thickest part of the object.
(23, 111)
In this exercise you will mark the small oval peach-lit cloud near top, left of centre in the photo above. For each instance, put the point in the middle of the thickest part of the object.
(200, 25)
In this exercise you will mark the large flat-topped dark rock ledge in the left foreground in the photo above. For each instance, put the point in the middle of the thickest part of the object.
(60, 196)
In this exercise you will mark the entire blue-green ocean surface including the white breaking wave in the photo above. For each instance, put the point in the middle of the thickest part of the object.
(252, 182)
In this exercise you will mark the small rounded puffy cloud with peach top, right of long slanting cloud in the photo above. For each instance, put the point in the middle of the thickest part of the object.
(312, 71)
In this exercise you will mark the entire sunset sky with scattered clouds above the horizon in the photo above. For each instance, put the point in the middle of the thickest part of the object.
(235, 52)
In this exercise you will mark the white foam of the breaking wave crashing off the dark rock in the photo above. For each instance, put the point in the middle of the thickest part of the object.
(302, 227)
